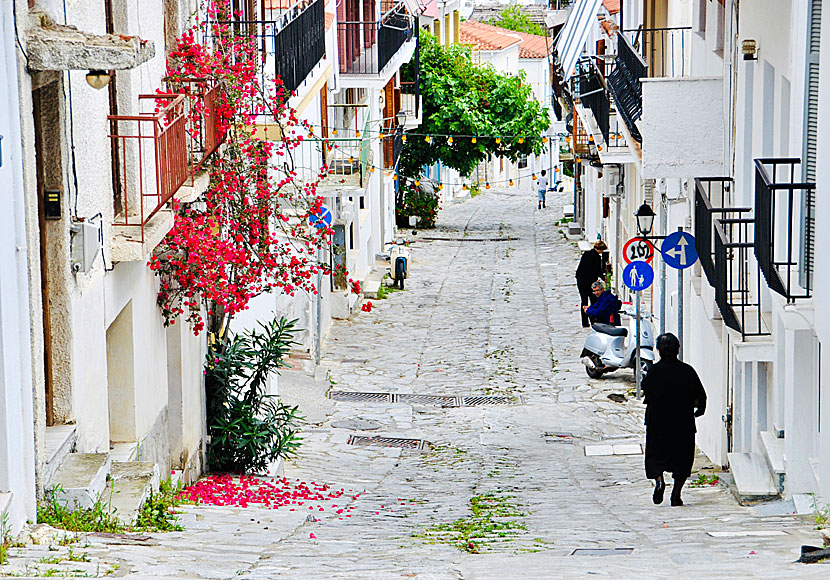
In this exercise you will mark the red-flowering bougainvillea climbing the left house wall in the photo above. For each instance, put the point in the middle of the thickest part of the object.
(250, 233)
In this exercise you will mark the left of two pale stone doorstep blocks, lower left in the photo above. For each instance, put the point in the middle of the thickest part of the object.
(81, 478)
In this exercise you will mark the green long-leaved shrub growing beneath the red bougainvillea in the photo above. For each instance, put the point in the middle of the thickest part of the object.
(249, 428)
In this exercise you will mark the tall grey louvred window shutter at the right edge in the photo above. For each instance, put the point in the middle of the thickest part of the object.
(807, 245)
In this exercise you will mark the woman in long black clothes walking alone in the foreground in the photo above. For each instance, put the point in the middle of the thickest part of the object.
(674, 396)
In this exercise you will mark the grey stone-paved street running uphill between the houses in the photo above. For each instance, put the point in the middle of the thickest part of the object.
(489, 310)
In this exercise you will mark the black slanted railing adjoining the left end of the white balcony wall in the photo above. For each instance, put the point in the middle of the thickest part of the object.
(625, 86)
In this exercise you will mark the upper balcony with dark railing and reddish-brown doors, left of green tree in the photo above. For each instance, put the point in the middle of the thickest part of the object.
(366, 47)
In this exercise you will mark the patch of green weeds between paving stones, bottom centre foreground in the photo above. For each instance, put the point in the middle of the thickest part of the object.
(488, 523)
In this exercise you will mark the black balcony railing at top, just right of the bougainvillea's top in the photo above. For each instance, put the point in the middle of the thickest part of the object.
(290, 46)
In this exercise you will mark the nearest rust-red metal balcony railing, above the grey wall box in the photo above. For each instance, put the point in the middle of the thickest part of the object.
(151, 150)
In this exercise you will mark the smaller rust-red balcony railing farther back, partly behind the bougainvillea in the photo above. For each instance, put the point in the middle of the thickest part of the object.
(205, 131)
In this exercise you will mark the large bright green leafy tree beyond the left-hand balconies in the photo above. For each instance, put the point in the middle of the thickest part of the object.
(462, 99)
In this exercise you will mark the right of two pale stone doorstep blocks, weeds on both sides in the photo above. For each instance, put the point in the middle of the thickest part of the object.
(130, 485)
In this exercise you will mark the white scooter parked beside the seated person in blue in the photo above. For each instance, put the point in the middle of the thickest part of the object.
(606, 348)
